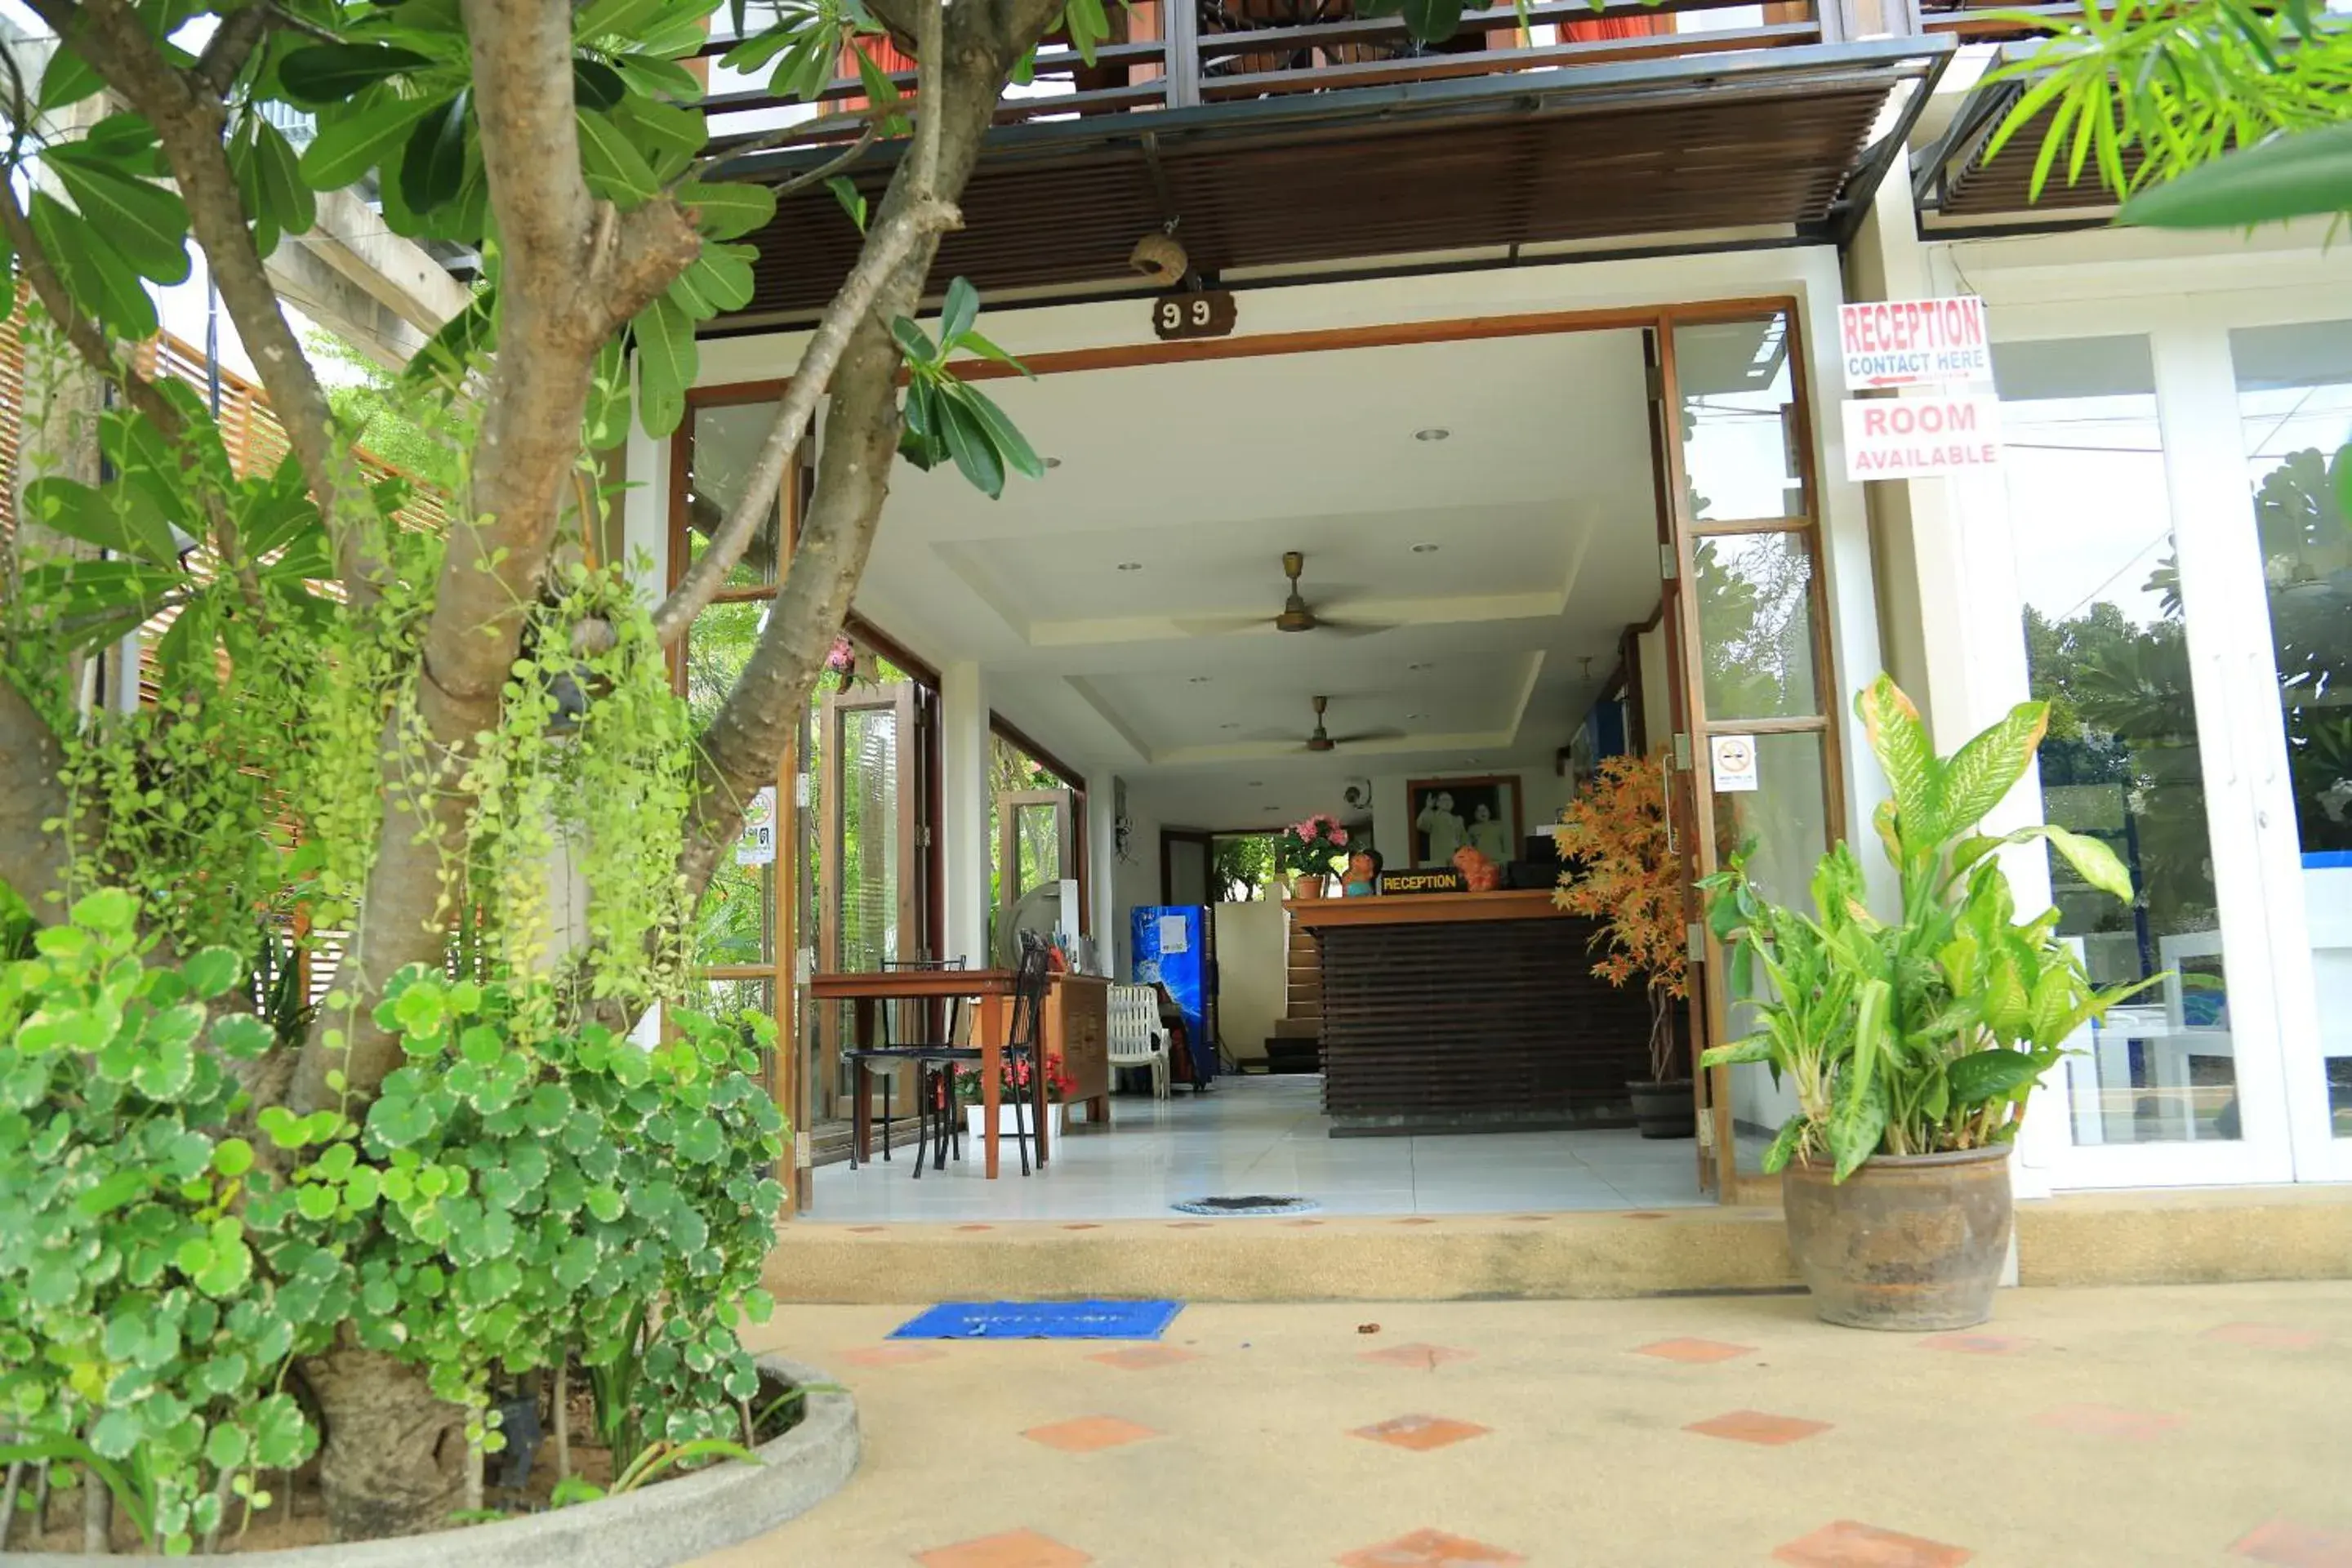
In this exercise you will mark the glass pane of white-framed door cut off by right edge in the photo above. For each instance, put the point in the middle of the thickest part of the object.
(2294, 396)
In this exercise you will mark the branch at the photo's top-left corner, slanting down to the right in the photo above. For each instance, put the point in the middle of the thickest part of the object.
(189, 121)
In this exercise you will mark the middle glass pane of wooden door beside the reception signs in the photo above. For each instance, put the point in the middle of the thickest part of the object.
(1756, 624)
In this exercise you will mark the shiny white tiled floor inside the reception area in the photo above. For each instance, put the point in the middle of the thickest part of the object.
(1269, 1134)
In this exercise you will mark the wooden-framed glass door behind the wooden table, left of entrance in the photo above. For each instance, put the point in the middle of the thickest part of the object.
(871, 873)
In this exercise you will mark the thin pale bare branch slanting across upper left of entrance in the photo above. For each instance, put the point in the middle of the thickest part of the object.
(883, 253)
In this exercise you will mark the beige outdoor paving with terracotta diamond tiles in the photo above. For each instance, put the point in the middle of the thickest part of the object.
(2134, 1428)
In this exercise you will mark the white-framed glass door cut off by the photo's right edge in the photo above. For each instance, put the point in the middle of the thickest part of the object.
(2294, 406)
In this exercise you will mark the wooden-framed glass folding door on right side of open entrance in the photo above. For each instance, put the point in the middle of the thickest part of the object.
(1751, 641)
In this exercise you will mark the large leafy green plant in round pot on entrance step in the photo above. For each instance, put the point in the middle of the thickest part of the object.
(1911, 1045)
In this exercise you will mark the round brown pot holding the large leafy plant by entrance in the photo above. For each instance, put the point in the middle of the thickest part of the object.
(1909, 1242)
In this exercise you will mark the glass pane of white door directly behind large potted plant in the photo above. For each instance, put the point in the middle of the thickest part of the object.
(2106, 648)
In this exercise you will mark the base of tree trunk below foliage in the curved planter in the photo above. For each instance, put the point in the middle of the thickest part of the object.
(394, 1459)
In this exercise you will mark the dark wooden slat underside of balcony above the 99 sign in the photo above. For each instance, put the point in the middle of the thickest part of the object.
(1509, 173)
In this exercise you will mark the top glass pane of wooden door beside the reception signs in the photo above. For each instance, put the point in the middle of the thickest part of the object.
(1739, 420)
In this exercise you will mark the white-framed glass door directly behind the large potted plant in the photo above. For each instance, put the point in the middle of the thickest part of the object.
(2123, 554)
